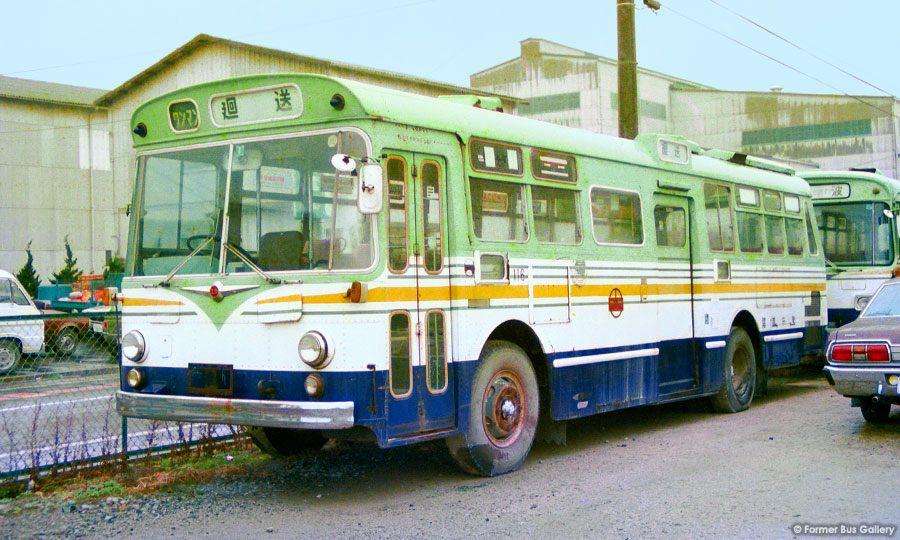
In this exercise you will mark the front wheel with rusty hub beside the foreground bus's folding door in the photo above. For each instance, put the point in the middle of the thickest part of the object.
(503, 413)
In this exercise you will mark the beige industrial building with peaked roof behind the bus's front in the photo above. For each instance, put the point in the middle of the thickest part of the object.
(66, 162)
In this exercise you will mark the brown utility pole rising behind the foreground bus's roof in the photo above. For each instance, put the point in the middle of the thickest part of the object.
(628, 103)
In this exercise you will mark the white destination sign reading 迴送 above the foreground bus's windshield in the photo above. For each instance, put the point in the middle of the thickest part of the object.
(256, 105)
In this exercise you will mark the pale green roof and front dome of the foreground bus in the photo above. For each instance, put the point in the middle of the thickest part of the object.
(364, 100)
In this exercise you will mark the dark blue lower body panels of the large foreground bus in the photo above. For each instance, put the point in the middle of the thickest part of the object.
(582, 383)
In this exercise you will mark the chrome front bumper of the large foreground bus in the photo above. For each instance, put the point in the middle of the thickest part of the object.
(243, 412)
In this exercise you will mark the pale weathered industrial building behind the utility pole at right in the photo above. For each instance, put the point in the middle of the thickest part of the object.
(579, 89)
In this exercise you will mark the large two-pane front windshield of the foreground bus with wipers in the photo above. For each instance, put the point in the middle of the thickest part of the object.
(286, 210)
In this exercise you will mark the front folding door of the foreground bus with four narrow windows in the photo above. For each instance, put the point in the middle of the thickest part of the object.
(420, 398)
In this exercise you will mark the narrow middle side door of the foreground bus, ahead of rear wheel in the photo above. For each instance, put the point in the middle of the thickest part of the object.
(678, 368)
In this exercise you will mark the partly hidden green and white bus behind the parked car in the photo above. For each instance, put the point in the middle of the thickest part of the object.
(855, 211)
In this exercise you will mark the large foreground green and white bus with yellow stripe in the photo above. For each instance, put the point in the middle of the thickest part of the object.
(320, 258)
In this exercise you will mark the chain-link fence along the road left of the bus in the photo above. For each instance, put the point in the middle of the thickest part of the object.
(58, 378)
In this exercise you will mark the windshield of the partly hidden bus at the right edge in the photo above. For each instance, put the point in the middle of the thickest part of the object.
(856, 234)
